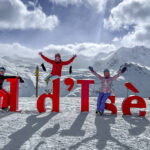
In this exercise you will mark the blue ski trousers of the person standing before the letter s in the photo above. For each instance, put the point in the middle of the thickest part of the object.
(101, 101)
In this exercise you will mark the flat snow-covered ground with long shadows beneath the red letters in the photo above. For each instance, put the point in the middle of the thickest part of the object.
(71, 129)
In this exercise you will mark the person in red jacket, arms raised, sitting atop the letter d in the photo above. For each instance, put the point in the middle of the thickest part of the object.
(56, 69)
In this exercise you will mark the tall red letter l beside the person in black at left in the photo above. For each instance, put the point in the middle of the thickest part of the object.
(14, 92)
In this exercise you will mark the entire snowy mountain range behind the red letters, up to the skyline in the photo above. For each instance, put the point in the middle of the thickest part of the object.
(137, 74)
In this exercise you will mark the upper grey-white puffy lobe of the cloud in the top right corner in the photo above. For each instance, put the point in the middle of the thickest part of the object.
(128, 13)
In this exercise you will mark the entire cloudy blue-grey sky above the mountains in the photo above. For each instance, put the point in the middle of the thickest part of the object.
(103, 24)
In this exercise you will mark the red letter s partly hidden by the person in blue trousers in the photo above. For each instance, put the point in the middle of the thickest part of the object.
(111, 106)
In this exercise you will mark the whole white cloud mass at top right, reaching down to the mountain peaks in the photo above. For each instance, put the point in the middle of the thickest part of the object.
(135, 14)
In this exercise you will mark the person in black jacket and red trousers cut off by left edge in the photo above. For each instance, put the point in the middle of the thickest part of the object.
(5, 104)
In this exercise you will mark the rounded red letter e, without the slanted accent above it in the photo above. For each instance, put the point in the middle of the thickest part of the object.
(127, 104)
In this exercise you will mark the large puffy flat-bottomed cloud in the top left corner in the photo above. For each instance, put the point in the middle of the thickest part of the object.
(14, 15)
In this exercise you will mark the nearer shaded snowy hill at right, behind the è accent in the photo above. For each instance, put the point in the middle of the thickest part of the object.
(139, 76)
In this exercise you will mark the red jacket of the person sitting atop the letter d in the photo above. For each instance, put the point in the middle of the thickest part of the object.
(57, 66)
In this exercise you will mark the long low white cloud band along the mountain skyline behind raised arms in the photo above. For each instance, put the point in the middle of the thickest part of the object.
(85, 49)
